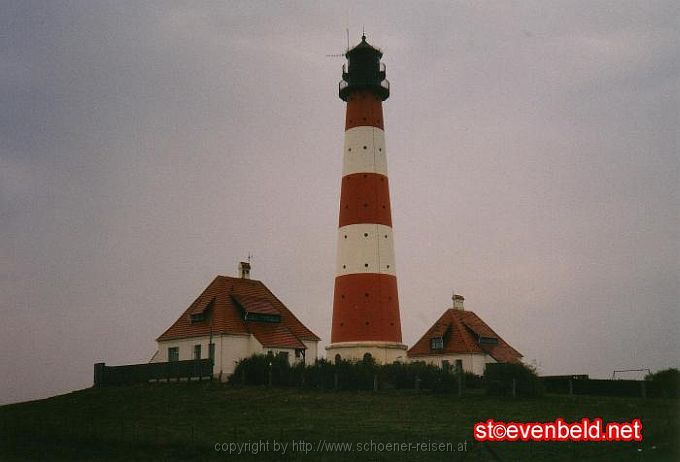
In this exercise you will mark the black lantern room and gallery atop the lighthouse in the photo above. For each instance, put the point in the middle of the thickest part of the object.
(364, 72)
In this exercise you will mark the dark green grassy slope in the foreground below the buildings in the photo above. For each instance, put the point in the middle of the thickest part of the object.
(185, 421)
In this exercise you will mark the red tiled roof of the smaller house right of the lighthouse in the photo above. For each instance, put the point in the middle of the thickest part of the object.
(461, 332)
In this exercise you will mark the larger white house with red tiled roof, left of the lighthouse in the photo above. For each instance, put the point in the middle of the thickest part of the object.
(233, 319)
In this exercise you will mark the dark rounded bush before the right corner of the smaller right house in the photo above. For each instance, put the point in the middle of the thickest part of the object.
(498, 379)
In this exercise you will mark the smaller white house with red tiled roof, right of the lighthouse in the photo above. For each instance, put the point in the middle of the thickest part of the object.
(461, 339)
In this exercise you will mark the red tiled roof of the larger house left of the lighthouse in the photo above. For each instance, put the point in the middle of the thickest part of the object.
(223, 304)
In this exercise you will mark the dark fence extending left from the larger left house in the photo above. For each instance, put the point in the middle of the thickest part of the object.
(194, 369)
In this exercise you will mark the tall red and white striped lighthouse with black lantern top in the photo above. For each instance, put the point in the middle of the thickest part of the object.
(365, 303)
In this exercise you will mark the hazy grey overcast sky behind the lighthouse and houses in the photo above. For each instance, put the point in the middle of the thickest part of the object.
(146, 147)
